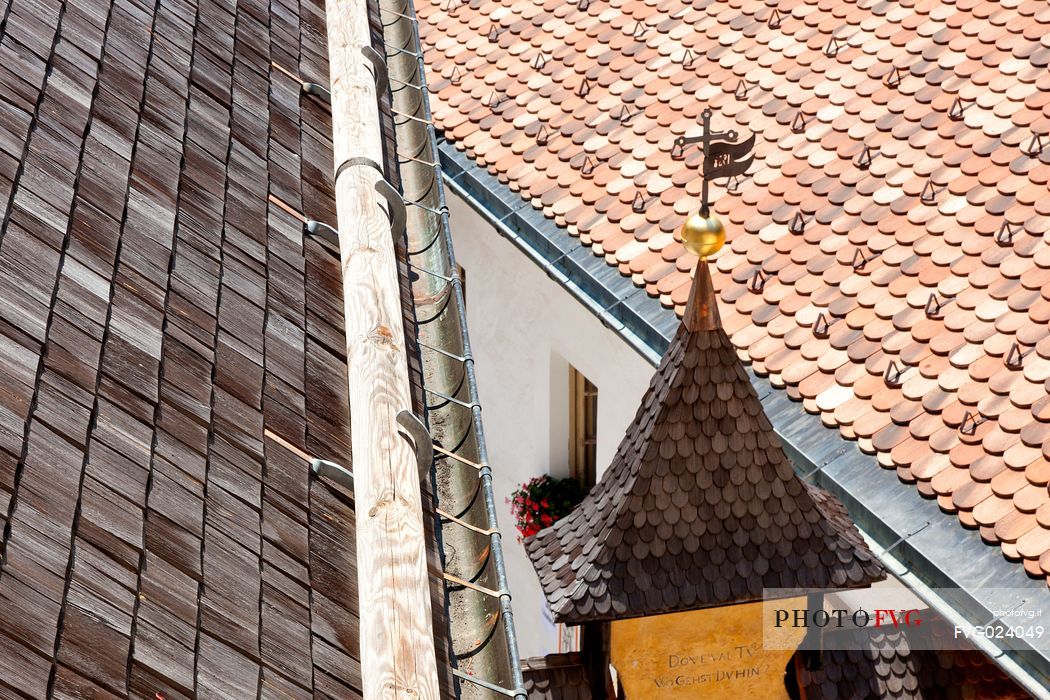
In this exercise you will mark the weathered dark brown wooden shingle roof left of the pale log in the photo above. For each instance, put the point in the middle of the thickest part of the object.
(159, 320)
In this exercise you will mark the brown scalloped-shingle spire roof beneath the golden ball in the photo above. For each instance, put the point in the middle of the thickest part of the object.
(701, 507)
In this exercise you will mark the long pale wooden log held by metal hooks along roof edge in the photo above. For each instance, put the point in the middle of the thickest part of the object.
(396, 637)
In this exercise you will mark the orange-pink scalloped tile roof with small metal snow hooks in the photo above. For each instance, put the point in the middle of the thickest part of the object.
(887, 263)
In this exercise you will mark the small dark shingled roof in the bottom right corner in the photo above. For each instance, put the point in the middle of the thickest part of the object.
(889, 668)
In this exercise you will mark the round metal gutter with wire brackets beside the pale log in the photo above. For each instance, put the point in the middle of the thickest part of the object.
(486, 659)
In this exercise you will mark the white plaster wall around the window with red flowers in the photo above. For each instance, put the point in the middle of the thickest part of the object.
(526, 331)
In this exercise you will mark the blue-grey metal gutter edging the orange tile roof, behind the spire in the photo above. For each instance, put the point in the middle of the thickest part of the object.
(887, 512)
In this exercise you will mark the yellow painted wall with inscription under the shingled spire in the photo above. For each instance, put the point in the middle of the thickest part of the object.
(717, 653)
